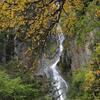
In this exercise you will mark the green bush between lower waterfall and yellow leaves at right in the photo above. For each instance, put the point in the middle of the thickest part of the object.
(76, 90)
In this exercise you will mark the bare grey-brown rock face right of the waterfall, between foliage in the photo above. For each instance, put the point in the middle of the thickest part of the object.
(75, 55)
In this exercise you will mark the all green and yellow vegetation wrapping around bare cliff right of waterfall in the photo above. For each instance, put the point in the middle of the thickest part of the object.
(82, 18)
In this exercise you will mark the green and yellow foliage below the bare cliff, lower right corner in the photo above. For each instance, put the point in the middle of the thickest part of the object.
(86, 80)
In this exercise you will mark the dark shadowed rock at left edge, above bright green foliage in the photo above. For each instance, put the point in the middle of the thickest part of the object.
(6, 48)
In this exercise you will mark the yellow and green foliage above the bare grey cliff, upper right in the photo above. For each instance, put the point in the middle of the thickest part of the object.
(79, 18)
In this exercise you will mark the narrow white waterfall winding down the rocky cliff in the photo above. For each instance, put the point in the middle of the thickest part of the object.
(59, 85)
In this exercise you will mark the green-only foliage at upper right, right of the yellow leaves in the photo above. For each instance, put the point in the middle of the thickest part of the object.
(87, 22)
